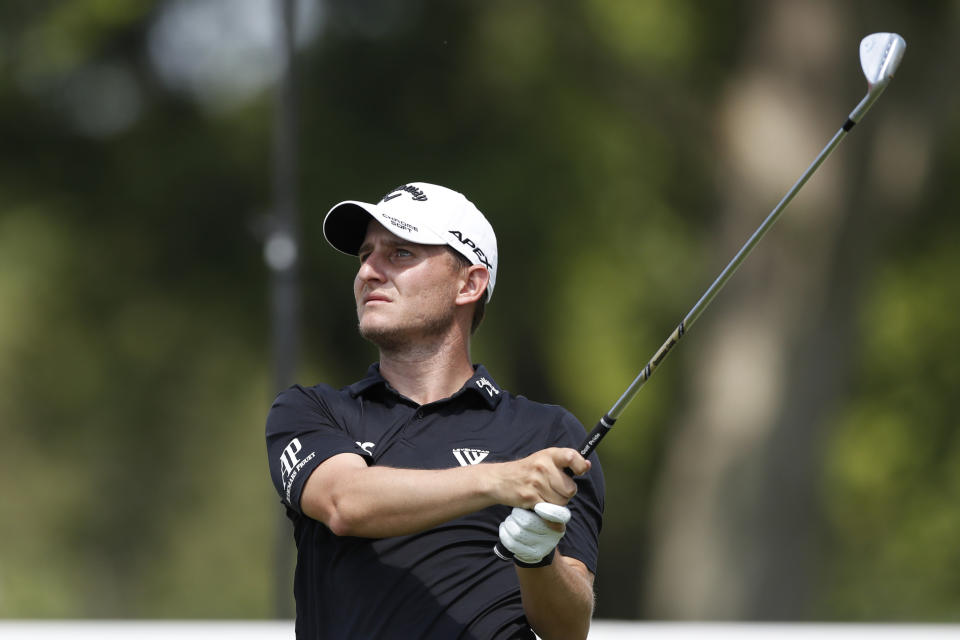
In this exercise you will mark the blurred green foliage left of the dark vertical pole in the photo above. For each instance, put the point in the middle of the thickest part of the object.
(131, 389)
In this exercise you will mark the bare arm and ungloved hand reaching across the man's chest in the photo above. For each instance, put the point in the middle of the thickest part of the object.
(354, 499)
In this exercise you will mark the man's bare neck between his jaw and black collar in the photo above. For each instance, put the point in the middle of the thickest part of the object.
(427, 374)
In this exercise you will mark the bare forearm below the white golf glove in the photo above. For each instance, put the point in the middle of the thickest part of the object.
(558, 598)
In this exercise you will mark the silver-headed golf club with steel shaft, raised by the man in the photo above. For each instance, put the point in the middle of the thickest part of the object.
(880, 55)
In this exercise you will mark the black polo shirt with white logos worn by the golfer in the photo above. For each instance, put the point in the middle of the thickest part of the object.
(441, 583)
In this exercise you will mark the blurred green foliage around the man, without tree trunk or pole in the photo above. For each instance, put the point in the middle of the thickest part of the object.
(134, 349)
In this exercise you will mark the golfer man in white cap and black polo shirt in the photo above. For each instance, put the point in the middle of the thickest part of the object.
(399, 485)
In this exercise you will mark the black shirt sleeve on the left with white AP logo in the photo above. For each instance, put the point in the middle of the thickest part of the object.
(302, 432)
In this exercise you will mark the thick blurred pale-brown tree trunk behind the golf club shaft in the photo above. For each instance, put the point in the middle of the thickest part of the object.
(734, 522)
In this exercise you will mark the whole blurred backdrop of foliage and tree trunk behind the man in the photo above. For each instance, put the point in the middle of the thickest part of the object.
(797, 458)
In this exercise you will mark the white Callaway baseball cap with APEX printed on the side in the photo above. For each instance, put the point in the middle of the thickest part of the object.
(419, 212)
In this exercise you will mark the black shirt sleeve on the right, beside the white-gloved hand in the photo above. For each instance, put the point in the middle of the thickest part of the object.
(582, 539)
